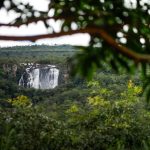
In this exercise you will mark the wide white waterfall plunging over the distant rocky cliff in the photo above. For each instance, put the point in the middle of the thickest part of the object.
(40, 77)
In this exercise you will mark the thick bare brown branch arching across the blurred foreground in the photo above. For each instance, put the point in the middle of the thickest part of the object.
(92, 30)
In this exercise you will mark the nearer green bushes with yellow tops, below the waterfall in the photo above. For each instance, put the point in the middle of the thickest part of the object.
(98, 123)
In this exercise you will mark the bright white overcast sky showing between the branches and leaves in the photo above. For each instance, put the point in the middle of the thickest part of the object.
(39, 28)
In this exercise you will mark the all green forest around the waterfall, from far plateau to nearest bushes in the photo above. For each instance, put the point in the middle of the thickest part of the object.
(107, 112)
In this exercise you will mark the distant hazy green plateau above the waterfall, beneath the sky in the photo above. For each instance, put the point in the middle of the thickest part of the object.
(37, 54)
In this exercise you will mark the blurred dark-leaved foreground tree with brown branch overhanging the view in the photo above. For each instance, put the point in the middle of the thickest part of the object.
(119, 30)
